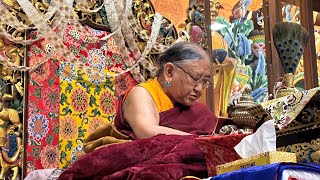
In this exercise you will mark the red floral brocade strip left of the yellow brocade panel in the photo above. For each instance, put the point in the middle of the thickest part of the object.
(43, 111)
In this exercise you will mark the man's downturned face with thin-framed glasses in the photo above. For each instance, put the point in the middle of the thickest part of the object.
(189, 81)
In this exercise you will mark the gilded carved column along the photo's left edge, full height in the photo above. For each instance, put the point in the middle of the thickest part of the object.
(11, 82)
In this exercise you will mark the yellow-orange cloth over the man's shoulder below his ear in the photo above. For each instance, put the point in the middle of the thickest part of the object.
(160, 98)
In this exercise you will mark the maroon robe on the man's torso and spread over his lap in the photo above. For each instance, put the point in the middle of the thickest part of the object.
(160, 157)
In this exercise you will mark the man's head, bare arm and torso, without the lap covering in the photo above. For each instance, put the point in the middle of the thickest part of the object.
(168, 103)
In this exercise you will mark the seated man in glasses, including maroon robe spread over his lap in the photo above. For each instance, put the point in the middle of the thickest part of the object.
(162, 118)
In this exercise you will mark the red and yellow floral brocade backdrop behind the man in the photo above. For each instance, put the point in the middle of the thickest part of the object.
(68, 103)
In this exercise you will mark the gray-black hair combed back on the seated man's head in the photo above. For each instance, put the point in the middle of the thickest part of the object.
(181, 53)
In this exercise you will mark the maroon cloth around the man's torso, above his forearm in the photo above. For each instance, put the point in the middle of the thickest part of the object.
(196, 119)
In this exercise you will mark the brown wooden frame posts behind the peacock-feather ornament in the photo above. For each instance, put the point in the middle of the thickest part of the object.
(272, 12)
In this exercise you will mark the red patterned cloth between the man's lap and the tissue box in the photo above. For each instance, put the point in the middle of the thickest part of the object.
(219, 149)
